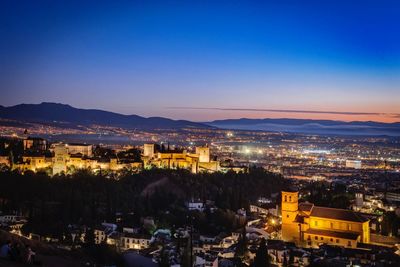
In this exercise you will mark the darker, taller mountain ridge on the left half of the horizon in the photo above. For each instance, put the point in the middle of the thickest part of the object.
(61, 113)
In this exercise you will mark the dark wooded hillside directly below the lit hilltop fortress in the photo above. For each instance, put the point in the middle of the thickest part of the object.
(51, 203)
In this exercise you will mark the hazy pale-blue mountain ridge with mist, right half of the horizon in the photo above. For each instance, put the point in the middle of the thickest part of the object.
(310, 126)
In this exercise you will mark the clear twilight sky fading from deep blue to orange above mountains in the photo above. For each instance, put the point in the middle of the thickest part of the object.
(231, 59)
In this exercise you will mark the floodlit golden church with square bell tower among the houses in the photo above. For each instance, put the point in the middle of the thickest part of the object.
(309, 225)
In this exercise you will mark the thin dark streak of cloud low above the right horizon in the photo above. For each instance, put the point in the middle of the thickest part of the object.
(293, 111)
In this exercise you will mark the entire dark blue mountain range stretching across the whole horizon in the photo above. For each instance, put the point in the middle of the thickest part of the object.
(68, 116)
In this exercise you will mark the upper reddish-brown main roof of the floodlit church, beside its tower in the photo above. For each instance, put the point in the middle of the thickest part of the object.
(337, 214)
